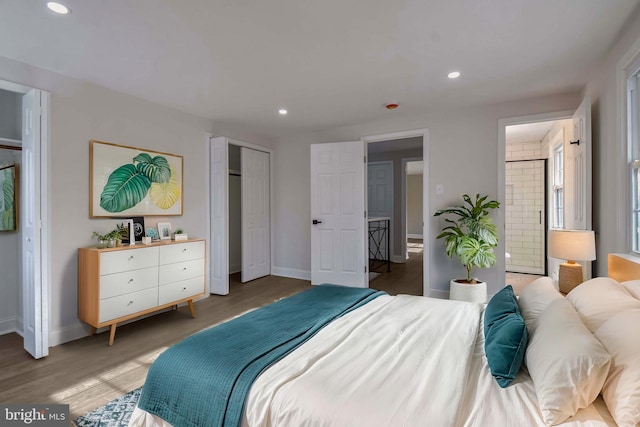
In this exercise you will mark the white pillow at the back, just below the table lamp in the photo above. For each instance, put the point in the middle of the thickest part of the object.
(598, 299)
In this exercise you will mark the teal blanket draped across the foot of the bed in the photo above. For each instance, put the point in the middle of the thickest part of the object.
(204, 380)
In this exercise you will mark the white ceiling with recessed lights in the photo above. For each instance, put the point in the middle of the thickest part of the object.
(330, 63)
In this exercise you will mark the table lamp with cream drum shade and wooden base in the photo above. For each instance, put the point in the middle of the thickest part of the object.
(571, 245)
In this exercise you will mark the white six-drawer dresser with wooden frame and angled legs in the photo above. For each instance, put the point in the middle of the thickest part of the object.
(118, 284)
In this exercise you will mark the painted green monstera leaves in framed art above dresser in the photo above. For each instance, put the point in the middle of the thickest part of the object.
(130, 183)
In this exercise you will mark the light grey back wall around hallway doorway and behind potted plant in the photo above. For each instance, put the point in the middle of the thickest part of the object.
(463, 158)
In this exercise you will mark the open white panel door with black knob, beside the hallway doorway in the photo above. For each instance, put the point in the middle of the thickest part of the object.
(338, 252)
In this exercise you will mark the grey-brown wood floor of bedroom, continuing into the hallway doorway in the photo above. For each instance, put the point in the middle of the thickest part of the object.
(87, 373)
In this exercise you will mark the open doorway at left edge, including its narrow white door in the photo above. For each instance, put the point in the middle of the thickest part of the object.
(24, 130)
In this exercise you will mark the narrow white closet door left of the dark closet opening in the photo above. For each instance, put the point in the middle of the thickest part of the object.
(219, 216)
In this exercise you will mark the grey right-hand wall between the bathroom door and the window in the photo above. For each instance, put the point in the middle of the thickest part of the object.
(610, 177)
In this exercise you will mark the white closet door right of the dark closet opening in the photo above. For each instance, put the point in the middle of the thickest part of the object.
(256, 243)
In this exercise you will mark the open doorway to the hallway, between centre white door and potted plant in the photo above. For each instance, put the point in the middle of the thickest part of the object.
(395, 198)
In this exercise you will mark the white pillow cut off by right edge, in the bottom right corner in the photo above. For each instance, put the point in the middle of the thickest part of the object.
(621, 391)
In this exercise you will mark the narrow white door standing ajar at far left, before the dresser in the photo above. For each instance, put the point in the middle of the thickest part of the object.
(35, 298)
